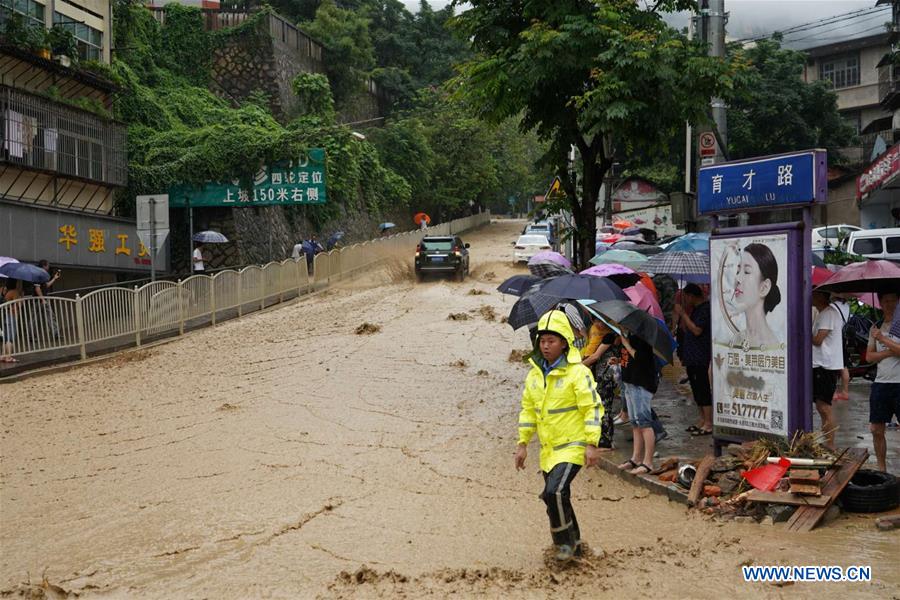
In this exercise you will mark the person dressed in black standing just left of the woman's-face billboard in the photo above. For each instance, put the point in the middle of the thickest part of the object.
(696, 353)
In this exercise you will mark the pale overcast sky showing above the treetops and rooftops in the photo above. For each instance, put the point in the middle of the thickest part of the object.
(756, 17)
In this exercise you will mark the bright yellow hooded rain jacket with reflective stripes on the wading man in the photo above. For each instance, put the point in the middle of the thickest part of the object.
(563, 406)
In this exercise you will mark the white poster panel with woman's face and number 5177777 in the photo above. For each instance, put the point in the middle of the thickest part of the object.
(748, 298)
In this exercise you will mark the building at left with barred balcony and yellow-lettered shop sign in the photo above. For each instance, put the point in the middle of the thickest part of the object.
(62, 156)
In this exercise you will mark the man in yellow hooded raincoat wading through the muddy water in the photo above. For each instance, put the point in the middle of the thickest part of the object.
(560, 402)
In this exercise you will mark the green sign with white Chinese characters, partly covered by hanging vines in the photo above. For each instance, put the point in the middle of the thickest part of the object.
(296, 182)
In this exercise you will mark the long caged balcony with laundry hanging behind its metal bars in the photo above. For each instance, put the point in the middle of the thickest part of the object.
(43, 135)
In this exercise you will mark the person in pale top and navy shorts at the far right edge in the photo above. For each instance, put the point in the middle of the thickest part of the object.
(884, 396)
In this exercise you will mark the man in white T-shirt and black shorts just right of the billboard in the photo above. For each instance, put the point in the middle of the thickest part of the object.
(828, 359)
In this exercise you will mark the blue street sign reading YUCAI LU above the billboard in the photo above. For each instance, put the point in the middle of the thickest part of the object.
(763, 183)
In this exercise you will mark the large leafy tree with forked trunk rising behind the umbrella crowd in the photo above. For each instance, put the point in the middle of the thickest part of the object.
(596, 75)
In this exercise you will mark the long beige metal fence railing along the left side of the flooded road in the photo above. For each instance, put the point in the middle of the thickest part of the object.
(54, 329)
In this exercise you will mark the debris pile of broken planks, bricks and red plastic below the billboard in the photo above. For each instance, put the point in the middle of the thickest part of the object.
(768, 481)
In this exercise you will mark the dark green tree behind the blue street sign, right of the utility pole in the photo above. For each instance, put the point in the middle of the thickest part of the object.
(776, 111)
